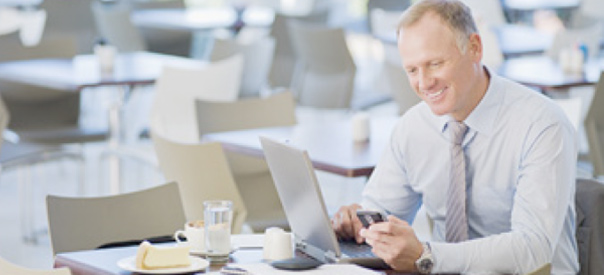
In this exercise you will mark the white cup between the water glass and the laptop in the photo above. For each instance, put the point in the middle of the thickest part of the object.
(277, 244)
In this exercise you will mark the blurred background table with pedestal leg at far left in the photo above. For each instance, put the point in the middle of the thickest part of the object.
(82, 72)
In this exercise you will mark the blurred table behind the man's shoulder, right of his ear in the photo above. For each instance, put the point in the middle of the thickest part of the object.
(545, 74)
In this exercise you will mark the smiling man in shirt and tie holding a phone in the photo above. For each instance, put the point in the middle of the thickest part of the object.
(517, 171)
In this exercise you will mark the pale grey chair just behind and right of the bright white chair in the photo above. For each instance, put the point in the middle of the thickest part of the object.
(257, 58)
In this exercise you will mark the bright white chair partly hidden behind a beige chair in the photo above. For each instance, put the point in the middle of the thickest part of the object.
(173, 109)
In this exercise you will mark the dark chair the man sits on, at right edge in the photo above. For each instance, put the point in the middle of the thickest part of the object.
(590, 225)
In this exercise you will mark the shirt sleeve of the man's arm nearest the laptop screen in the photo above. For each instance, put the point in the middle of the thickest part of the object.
(388, 187)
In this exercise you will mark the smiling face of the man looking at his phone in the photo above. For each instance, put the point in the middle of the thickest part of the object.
(444, 77)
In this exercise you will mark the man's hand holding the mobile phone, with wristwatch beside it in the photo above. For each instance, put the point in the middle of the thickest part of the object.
(395, 242)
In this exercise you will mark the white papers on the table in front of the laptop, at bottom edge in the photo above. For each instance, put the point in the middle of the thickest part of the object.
(326, 269)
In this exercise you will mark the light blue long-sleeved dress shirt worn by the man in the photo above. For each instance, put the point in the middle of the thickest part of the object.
(520, 171)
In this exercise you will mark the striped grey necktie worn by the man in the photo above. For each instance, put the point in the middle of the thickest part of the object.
(456, 222)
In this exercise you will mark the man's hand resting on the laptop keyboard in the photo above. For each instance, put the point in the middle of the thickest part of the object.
(346, 224)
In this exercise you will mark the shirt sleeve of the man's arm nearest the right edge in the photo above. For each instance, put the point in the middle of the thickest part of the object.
(543, 200)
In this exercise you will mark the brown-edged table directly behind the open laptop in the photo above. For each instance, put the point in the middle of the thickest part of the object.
(329, 143)
